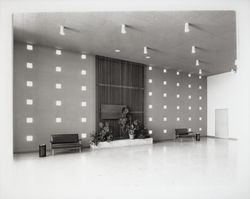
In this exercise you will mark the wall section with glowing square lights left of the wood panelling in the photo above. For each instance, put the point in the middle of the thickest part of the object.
(54, 92)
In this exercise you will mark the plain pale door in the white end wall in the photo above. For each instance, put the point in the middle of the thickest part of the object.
(221, 123)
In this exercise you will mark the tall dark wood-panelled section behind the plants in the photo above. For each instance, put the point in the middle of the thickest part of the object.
(119, 83)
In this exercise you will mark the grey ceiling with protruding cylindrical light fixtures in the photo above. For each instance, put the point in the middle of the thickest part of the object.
(99, 33)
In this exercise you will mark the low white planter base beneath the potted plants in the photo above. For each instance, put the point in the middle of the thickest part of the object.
(121, 143)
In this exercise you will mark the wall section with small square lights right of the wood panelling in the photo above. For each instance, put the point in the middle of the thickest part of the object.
(173, 100)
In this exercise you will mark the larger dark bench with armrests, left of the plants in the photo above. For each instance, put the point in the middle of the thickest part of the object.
(65, 141)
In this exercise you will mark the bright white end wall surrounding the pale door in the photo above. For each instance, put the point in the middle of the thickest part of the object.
(223, 93)
